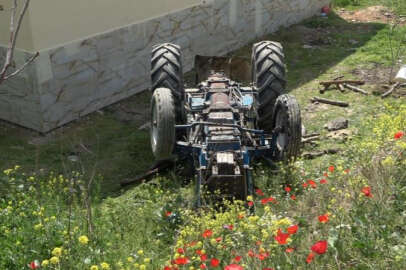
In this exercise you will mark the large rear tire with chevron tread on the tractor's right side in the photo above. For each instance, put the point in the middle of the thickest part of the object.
(268, 74)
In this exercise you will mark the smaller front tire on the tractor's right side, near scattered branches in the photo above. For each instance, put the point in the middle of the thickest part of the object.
(287, 124)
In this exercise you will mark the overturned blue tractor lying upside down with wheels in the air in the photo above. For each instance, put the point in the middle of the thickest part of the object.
(221, 126)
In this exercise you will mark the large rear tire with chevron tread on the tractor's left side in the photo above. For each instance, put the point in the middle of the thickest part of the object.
(167, 72)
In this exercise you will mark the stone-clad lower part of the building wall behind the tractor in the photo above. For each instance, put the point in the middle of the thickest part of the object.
(80, 77)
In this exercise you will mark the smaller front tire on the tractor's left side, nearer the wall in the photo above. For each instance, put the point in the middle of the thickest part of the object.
(162, 123)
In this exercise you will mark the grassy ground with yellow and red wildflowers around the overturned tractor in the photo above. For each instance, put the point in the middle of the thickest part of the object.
(48, 203)
